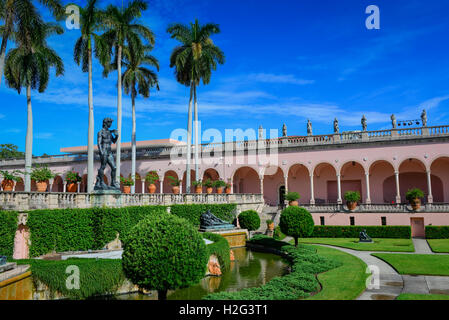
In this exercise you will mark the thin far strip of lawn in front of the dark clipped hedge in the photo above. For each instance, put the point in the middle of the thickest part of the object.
(390, 245)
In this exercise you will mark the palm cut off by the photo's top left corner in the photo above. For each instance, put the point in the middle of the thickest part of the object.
(15, 13)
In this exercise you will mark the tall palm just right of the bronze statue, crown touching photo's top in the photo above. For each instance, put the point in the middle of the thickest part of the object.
(122, 29)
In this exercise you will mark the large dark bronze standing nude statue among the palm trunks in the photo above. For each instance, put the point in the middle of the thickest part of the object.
(105, 139)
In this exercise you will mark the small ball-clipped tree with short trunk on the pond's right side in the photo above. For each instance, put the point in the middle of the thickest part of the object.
(296, 222)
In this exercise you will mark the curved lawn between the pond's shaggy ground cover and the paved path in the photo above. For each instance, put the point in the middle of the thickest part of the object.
(343, 283)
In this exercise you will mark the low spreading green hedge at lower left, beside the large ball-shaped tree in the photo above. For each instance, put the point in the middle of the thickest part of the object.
(97, 276)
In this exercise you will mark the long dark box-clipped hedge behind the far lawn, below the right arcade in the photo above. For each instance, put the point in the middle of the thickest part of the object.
(391, 232)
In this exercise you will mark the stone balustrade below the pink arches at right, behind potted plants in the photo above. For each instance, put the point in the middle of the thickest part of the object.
(377, 208)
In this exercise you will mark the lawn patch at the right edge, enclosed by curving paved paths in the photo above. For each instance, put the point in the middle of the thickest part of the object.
(417, 264)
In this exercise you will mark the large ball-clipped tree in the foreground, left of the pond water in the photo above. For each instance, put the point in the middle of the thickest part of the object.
(164, 252)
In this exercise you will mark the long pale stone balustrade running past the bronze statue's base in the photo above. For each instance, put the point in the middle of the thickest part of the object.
(24, 201)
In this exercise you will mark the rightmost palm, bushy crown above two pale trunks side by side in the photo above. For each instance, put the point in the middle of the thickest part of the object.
(194, 60)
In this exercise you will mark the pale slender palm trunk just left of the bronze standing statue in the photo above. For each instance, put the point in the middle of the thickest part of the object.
(90, 138)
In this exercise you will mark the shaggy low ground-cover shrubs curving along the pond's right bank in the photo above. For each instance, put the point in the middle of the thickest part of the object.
(306, 263)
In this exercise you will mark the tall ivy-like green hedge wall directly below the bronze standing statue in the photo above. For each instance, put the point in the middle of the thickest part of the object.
(82, 229)
